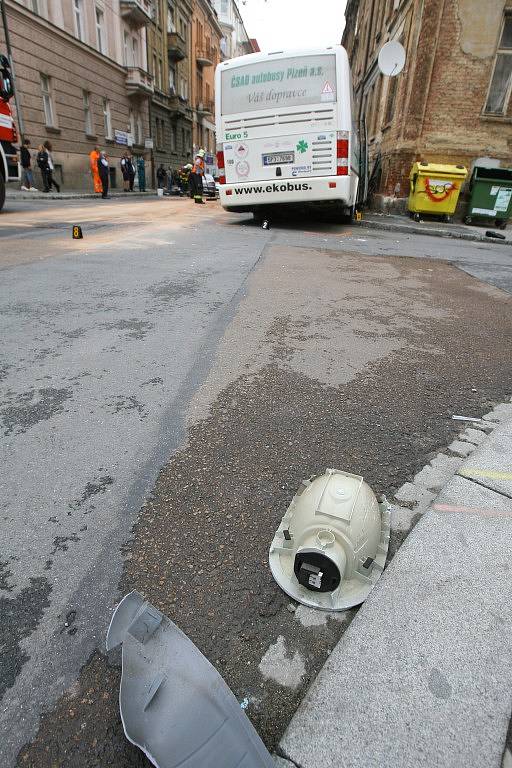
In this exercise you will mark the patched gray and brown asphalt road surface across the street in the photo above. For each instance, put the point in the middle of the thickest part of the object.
(167, 382)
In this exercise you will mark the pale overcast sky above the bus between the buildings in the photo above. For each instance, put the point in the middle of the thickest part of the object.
(279, 24)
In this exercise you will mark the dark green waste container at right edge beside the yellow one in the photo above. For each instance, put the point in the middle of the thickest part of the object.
(491, 195)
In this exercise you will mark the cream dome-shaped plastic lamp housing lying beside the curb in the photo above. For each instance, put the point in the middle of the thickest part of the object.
(332, 543)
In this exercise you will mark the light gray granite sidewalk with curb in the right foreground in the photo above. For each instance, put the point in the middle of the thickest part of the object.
(423, 675)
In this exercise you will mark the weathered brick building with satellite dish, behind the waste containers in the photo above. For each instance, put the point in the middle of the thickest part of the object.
(452, 102)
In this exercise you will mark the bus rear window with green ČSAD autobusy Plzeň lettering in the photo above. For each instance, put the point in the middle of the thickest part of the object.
(296, 81)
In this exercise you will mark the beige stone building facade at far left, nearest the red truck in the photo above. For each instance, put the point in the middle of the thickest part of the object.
(81, 77)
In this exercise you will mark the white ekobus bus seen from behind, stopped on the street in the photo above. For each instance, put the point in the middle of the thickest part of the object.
(285, 131)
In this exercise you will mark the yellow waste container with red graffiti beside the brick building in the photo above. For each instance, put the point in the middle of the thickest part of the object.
(435, 189)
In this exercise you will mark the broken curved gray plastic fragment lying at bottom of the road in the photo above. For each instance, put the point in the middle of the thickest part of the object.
(174, 704)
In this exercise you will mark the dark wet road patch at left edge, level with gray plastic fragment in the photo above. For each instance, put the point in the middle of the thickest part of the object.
(20, 616)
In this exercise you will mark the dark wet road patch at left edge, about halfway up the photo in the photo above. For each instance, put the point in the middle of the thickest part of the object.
(20, 412)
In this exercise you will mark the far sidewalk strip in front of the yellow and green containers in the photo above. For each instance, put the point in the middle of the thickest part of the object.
(456, 230)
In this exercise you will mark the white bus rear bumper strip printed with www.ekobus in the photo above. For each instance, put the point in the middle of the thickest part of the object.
(340, 190)
